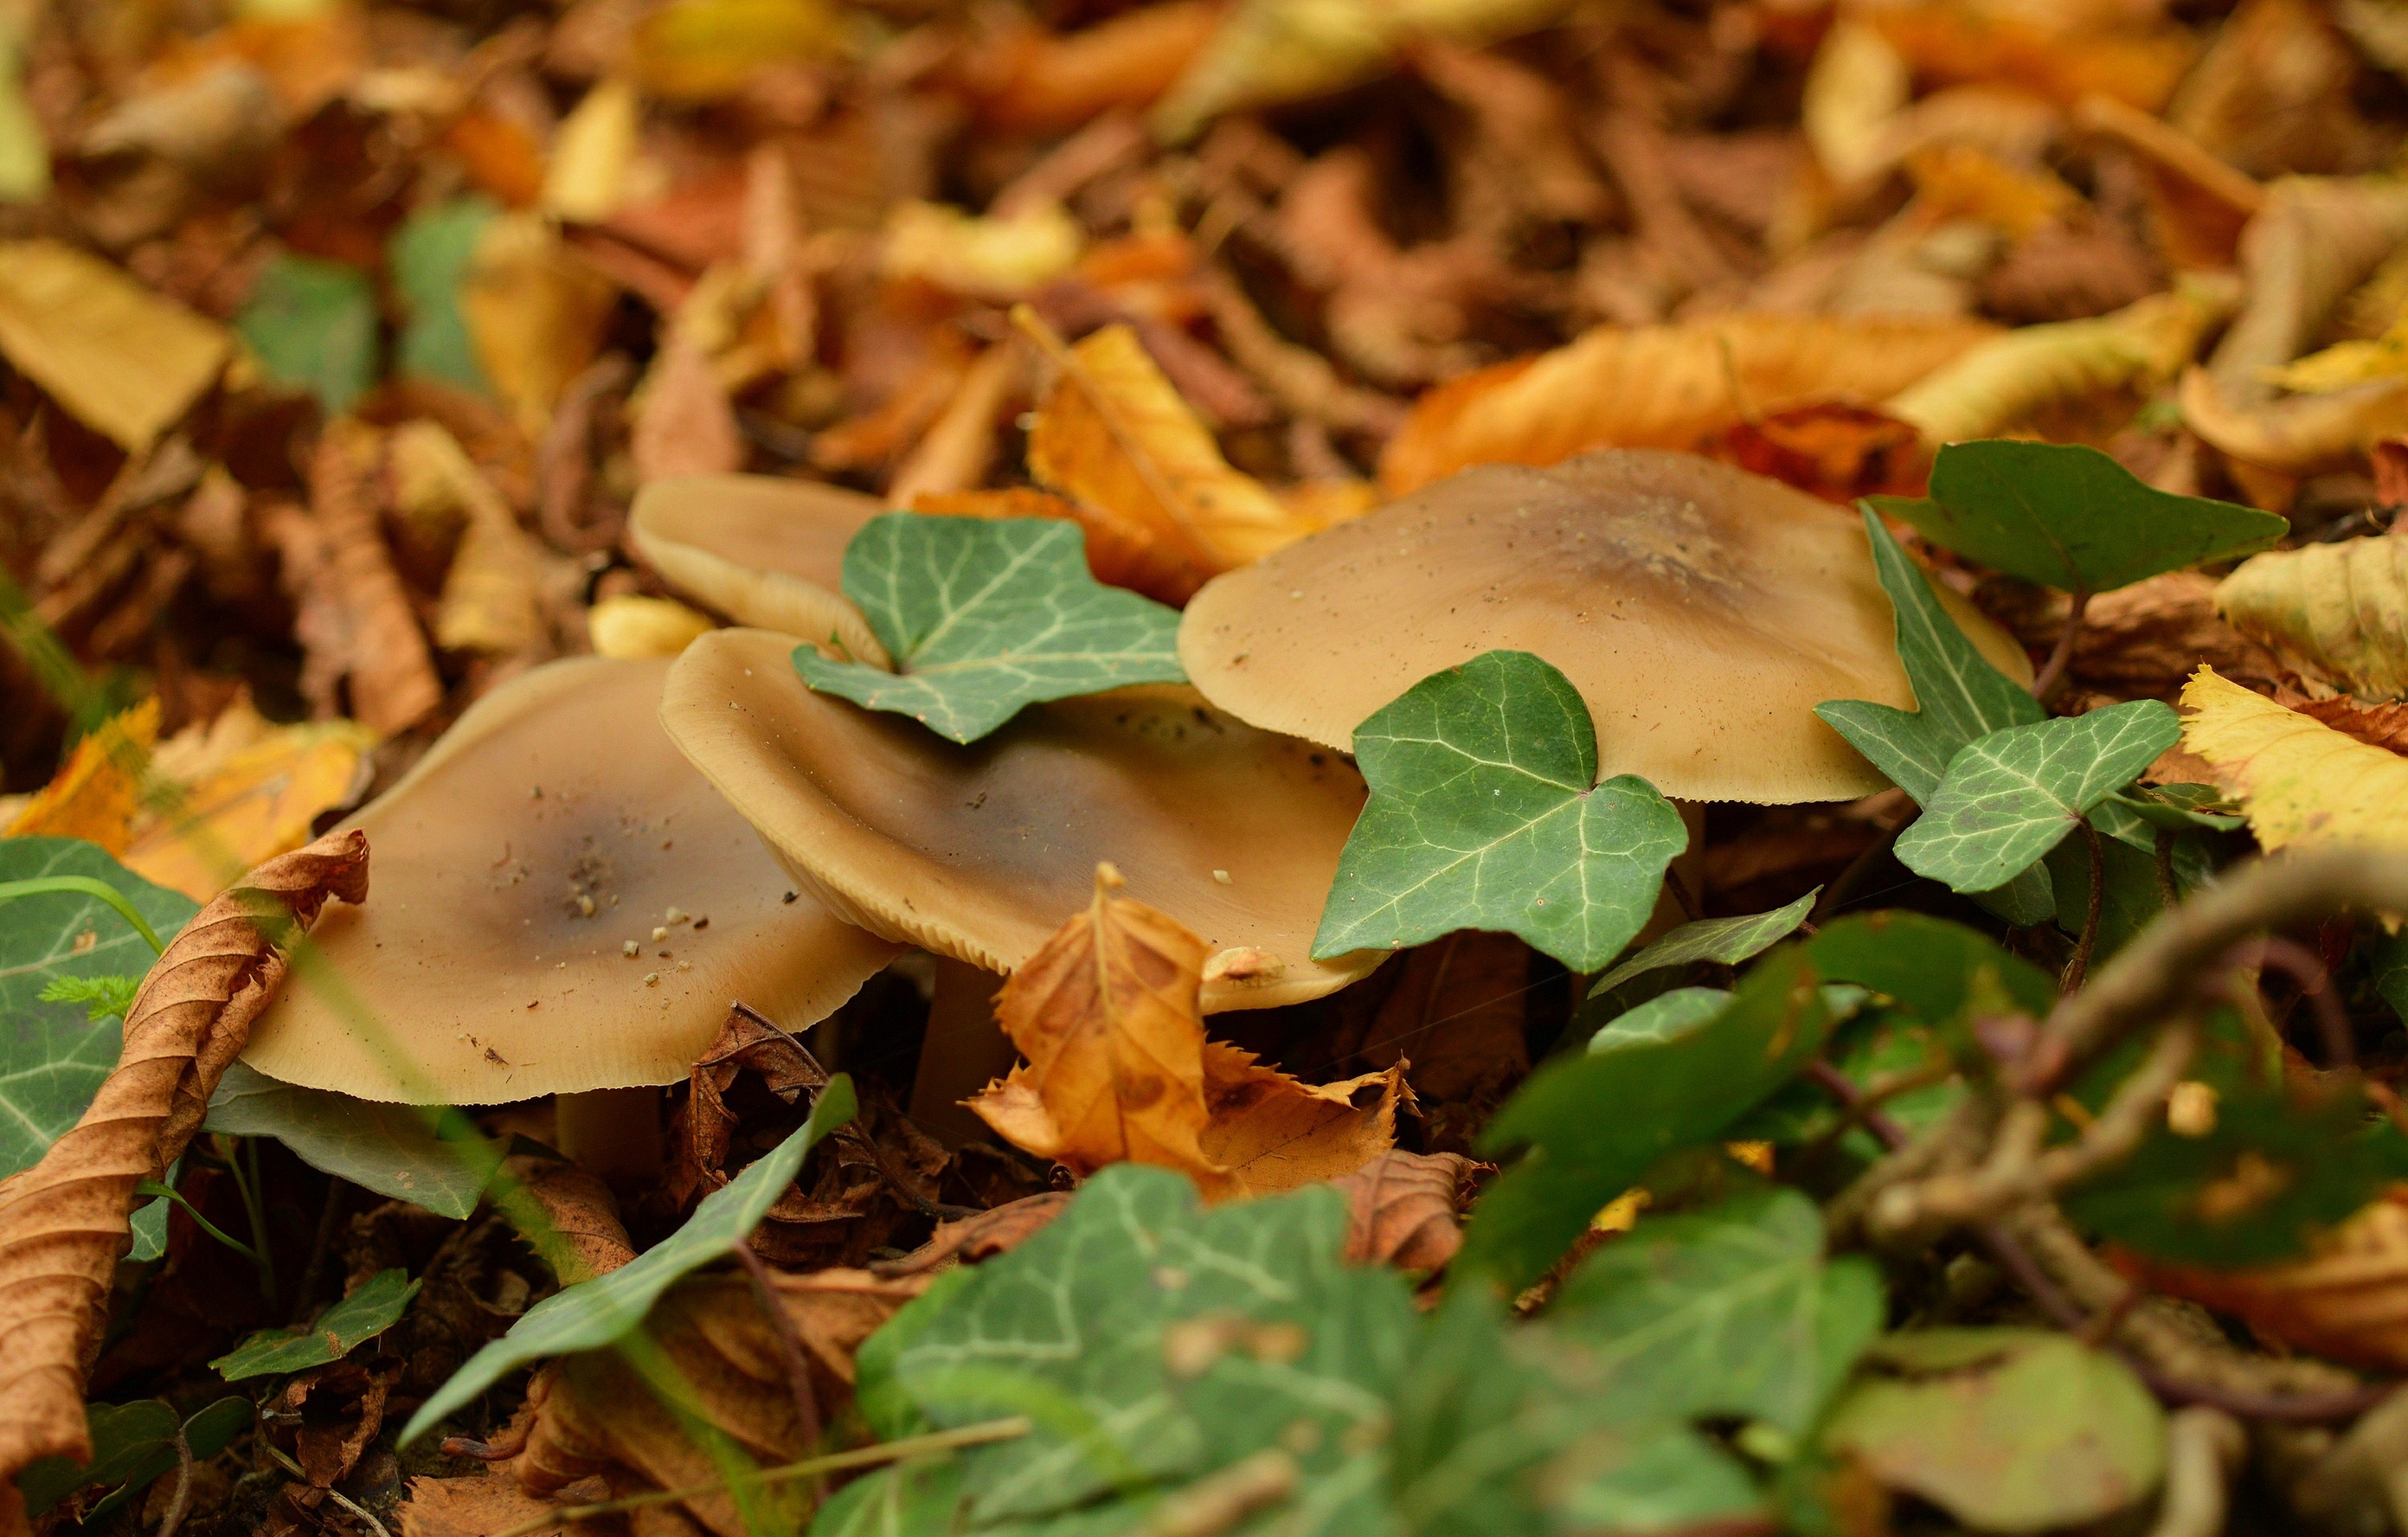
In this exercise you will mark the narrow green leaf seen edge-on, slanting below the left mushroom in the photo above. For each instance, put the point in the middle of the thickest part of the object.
(601, 1312)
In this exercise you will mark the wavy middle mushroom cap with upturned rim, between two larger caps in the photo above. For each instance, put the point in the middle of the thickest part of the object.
(984, 852)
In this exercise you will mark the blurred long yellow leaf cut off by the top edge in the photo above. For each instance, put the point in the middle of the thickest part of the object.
(1273, 52)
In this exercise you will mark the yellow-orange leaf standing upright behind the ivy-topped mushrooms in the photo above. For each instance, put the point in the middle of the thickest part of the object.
(1119, 437)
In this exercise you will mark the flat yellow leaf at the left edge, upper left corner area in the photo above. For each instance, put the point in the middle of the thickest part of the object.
(119, 358)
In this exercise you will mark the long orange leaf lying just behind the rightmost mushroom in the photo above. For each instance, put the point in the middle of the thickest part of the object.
(1663, 387)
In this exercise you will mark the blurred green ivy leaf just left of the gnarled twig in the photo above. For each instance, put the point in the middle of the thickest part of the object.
(1728, 1312)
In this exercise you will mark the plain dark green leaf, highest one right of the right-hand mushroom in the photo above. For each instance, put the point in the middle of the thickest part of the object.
(2072, 519)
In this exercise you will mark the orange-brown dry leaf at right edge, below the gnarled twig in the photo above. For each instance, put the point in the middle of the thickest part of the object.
(2347, 1300)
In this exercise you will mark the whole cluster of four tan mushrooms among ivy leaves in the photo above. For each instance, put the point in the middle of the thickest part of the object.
(603, 854)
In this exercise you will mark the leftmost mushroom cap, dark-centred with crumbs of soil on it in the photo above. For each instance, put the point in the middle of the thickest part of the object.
(476, 955)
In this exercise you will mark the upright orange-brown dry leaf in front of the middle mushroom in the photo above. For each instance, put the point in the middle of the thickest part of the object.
(1121, 1071)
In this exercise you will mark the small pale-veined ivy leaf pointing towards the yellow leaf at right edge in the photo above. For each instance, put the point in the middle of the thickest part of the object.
(2017, 794)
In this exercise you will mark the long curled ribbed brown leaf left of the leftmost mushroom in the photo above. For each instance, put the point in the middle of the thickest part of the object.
(64, 1223)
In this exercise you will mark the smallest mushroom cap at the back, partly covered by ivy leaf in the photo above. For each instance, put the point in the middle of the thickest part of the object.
(760, 550)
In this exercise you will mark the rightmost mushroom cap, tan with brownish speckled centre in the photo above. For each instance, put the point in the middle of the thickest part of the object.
(1701, 611)
